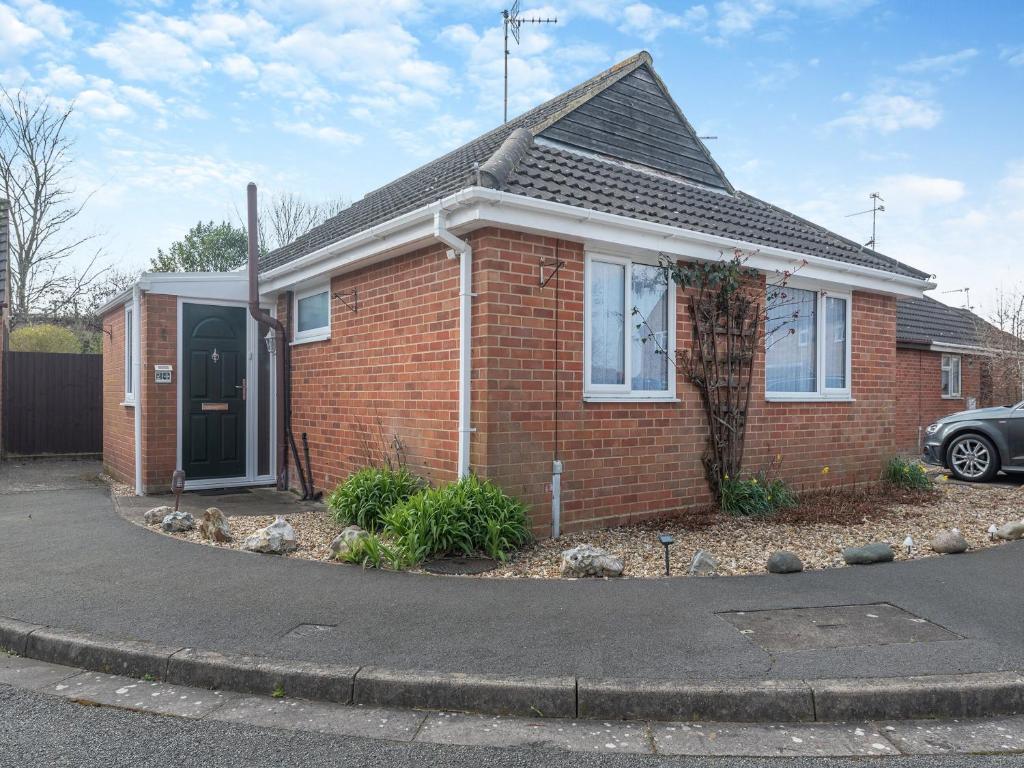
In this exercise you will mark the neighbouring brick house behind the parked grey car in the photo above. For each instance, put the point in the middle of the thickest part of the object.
(950, 360)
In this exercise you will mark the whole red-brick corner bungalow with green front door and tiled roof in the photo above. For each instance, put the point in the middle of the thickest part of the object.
(478, 313)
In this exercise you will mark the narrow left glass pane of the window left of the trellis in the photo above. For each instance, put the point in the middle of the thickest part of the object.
(608, 324)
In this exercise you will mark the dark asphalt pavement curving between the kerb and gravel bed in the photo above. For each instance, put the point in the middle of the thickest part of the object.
(67, 560)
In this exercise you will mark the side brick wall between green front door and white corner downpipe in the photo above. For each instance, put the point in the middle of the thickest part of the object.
(389, 371)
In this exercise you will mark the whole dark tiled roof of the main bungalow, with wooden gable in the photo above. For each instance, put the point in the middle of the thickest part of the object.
(617, 144)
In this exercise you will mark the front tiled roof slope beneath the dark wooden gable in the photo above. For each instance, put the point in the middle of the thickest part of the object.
(562, 177)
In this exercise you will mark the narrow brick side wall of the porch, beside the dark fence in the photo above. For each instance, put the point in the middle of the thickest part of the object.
(119, 421)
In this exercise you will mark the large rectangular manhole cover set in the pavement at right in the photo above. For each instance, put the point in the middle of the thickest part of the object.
(835, 627)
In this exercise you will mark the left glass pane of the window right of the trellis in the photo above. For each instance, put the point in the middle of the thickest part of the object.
(791, 358)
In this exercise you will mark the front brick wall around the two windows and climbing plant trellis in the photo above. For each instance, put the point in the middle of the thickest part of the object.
(630, 461)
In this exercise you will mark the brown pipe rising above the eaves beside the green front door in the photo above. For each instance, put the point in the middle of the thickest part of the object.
(286, 438)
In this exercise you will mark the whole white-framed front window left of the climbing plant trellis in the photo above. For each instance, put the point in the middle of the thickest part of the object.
(630, 330)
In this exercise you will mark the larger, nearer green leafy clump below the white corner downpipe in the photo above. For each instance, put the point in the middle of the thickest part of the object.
(463, 518)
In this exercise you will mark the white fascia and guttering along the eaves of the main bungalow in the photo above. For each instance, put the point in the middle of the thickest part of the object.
(477, 207)
